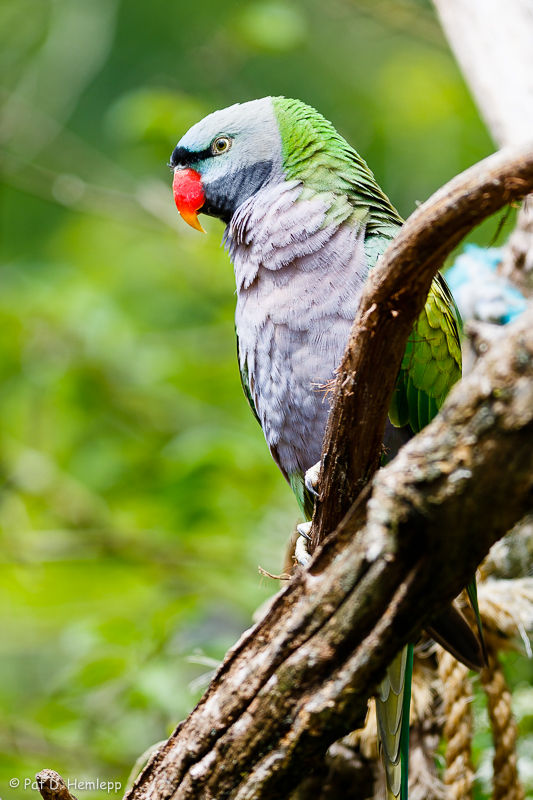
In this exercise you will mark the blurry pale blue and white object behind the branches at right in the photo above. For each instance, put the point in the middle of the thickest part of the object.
(480, 291)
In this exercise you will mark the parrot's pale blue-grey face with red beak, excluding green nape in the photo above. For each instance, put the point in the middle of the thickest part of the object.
(224, 159)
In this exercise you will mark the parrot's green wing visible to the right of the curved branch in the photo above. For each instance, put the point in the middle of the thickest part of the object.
(431, 363)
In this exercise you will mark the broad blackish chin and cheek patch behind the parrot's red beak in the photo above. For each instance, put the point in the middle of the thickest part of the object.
(226, 194)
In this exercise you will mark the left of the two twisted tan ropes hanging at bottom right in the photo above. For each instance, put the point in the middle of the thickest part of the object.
(457, 696)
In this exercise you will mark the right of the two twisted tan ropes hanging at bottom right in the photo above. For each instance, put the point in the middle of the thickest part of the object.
(506, 784)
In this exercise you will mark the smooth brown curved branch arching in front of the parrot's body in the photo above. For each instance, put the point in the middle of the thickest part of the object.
(394, 296)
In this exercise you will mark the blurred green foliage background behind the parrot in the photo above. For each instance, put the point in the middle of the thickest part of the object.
(137, 494)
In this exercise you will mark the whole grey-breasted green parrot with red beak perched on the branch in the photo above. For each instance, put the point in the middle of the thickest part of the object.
(305, 222)
